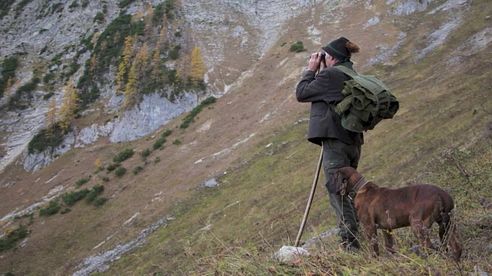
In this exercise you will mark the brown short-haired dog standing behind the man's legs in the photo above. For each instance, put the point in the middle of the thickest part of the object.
(418, 206)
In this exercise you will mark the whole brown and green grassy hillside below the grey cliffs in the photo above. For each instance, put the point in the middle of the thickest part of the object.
(252, 141)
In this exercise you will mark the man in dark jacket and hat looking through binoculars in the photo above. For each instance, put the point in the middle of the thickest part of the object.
(341, 147)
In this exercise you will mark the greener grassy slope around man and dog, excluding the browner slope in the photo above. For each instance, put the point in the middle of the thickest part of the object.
(441, 135)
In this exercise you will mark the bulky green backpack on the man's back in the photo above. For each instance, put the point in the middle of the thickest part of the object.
(366, 102)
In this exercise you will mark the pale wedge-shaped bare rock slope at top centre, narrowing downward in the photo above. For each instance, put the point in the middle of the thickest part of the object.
(235, 34)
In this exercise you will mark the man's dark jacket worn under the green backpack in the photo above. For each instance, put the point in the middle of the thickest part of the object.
(324, 91)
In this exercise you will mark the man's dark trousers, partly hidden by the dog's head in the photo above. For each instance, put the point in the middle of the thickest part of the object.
(337, 154)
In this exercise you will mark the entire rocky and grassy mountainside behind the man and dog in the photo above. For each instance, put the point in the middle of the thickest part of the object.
(163, 137)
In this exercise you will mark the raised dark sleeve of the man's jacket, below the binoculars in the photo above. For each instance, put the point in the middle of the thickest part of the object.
(321, 87)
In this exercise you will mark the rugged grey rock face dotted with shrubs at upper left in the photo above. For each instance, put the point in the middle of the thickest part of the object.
(57, 42)
